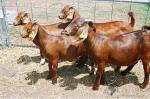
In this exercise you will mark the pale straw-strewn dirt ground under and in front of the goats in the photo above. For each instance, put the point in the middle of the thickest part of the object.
(21, 76)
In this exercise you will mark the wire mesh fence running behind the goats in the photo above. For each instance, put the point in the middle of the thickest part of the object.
(46, 11)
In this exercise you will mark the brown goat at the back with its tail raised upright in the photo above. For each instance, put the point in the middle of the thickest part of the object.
(114, 27)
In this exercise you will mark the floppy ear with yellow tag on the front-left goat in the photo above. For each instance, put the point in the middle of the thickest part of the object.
(34, 31)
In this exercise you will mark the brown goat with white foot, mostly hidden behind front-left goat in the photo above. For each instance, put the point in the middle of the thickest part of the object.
(23, 18)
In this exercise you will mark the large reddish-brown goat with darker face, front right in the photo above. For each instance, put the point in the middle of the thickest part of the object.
(120, 49)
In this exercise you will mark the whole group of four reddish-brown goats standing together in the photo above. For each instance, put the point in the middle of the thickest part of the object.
(75, 39)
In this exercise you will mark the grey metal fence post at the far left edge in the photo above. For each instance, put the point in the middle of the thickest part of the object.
(4, 26)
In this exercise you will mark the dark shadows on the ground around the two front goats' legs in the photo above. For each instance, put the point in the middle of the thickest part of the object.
(70, 81)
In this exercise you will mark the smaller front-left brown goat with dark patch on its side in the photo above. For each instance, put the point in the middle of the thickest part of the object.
(53, 47)
